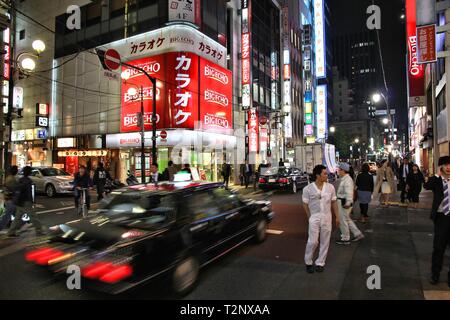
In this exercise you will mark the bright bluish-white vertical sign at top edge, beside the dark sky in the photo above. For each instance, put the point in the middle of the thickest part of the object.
(319, 32)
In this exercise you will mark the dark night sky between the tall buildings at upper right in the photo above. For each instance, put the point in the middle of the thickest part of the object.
(349, 16)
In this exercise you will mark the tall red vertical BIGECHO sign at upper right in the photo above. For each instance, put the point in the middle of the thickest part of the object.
(416, 72)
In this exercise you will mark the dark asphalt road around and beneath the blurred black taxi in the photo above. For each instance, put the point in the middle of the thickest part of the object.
(250, 263)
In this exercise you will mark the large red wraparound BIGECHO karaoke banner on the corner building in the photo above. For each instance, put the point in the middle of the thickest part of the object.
(178, 97)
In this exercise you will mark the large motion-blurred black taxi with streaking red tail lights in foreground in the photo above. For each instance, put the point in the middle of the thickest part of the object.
(143, 232)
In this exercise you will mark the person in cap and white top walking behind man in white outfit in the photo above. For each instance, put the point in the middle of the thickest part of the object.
(345, 204)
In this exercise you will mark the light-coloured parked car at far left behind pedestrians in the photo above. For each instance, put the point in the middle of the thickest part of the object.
(51, 181)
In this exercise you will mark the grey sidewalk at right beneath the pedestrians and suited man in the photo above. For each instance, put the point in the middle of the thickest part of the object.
(400, 241)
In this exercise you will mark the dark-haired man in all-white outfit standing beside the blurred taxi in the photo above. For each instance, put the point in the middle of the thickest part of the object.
(319, 201)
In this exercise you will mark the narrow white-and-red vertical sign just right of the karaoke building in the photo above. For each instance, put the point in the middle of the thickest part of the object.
(246, 55)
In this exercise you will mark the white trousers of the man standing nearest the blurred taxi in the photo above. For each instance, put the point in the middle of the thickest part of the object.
(319, 227)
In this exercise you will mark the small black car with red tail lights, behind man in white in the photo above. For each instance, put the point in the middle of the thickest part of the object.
(282, 178)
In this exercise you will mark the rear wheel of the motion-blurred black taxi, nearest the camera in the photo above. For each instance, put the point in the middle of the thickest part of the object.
(185, 276)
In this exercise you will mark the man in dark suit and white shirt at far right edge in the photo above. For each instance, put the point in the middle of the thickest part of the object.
(440, 214)
